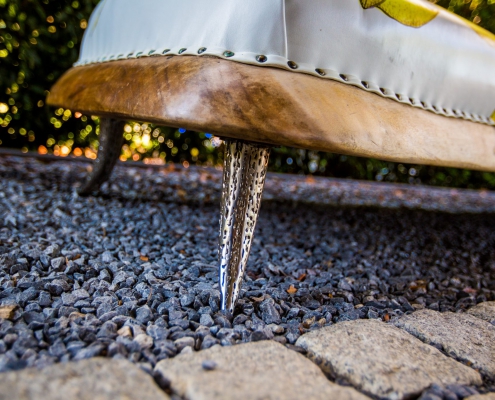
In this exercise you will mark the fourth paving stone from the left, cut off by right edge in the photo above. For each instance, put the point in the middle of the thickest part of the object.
(462, 336)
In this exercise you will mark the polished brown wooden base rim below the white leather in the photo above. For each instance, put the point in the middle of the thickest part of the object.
(273, 106)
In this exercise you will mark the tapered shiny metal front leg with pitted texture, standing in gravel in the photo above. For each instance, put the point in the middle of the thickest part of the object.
(244, 174)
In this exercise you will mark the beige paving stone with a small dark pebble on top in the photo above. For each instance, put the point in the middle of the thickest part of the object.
(262, 370)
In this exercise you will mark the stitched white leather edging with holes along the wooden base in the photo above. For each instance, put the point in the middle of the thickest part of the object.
(289, 66)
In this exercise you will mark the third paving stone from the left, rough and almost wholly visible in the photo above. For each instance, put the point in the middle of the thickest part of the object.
(382, 360)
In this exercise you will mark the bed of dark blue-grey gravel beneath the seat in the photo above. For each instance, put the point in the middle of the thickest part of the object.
(132, 273)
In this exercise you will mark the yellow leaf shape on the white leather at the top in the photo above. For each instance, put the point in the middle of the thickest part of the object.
(413, 13)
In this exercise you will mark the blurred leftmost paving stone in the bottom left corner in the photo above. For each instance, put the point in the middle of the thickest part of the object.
(97, 378)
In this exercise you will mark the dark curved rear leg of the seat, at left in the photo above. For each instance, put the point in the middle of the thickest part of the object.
(111, 141)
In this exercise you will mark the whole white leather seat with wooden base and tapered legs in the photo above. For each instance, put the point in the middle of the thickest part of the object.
(400, 80)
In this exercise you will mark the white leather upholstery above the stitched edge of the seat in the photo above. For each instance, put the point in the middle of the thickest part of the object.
(444, 65)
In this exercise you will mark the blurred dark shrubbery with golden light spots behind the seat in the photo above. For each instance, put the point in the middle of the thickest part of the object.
(39, 40)
